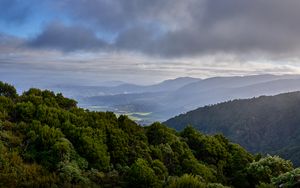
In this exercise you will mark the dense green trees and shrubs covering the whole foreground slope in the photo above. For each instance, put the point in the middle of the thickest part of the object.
(47, 141)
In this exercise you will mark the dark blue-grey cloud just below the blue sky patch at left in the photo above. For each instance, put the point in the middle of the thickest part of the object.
(67, 38)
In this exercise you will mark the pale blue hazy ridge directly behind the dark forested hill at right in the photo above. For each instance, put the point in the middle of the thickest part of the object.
(198, 96)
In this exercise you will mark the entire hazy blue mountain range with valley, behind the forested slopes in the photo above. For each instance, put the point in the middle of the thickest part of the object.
(167, 99)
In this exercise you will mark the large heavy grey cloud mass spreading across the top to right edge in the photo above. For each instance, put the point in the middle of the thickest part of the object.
(173, 28)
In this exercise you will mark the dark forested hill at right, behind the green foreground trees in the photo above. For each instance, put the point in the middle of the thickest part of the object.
(267, 124)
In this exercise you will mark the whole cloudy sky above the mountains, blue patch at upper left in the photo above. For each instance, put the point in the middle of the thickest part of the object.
(140, 41)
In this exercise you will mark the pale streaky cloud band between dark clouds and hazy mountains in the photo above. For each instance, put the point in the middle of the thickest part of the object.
(31, 67)
